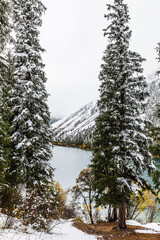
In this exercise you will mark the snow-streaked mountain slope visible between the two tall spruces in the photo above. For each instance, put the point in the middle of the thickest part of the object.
(78, 127)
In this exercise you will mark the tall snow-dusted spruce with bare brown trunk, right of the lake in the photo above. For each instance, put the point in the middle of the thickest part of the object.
(120, 153)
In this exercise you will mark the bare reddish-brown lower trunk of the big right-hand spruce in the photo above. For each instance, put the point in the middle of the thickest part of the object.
(122, 214)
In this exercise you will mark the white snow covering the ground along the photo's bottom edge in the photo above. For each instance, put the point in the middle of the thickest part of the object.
(63, 230)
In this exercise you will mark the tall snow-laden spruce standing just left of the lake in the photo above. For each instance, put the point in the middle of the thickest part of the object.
(32, 134)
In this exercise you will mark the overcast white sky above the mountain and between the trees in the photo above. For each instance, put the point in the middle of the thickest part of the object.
(73, 38)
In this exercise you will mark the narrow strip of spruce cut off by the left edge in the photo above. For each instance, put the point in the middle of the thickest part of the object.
(4, 124)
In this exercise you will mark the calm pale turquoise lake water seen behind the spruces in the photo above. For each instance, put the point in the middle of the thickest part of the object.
(68, 162)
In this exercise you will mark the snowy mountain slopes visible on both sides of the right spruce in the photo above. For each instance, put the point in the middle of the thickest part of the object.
(77, 128)
